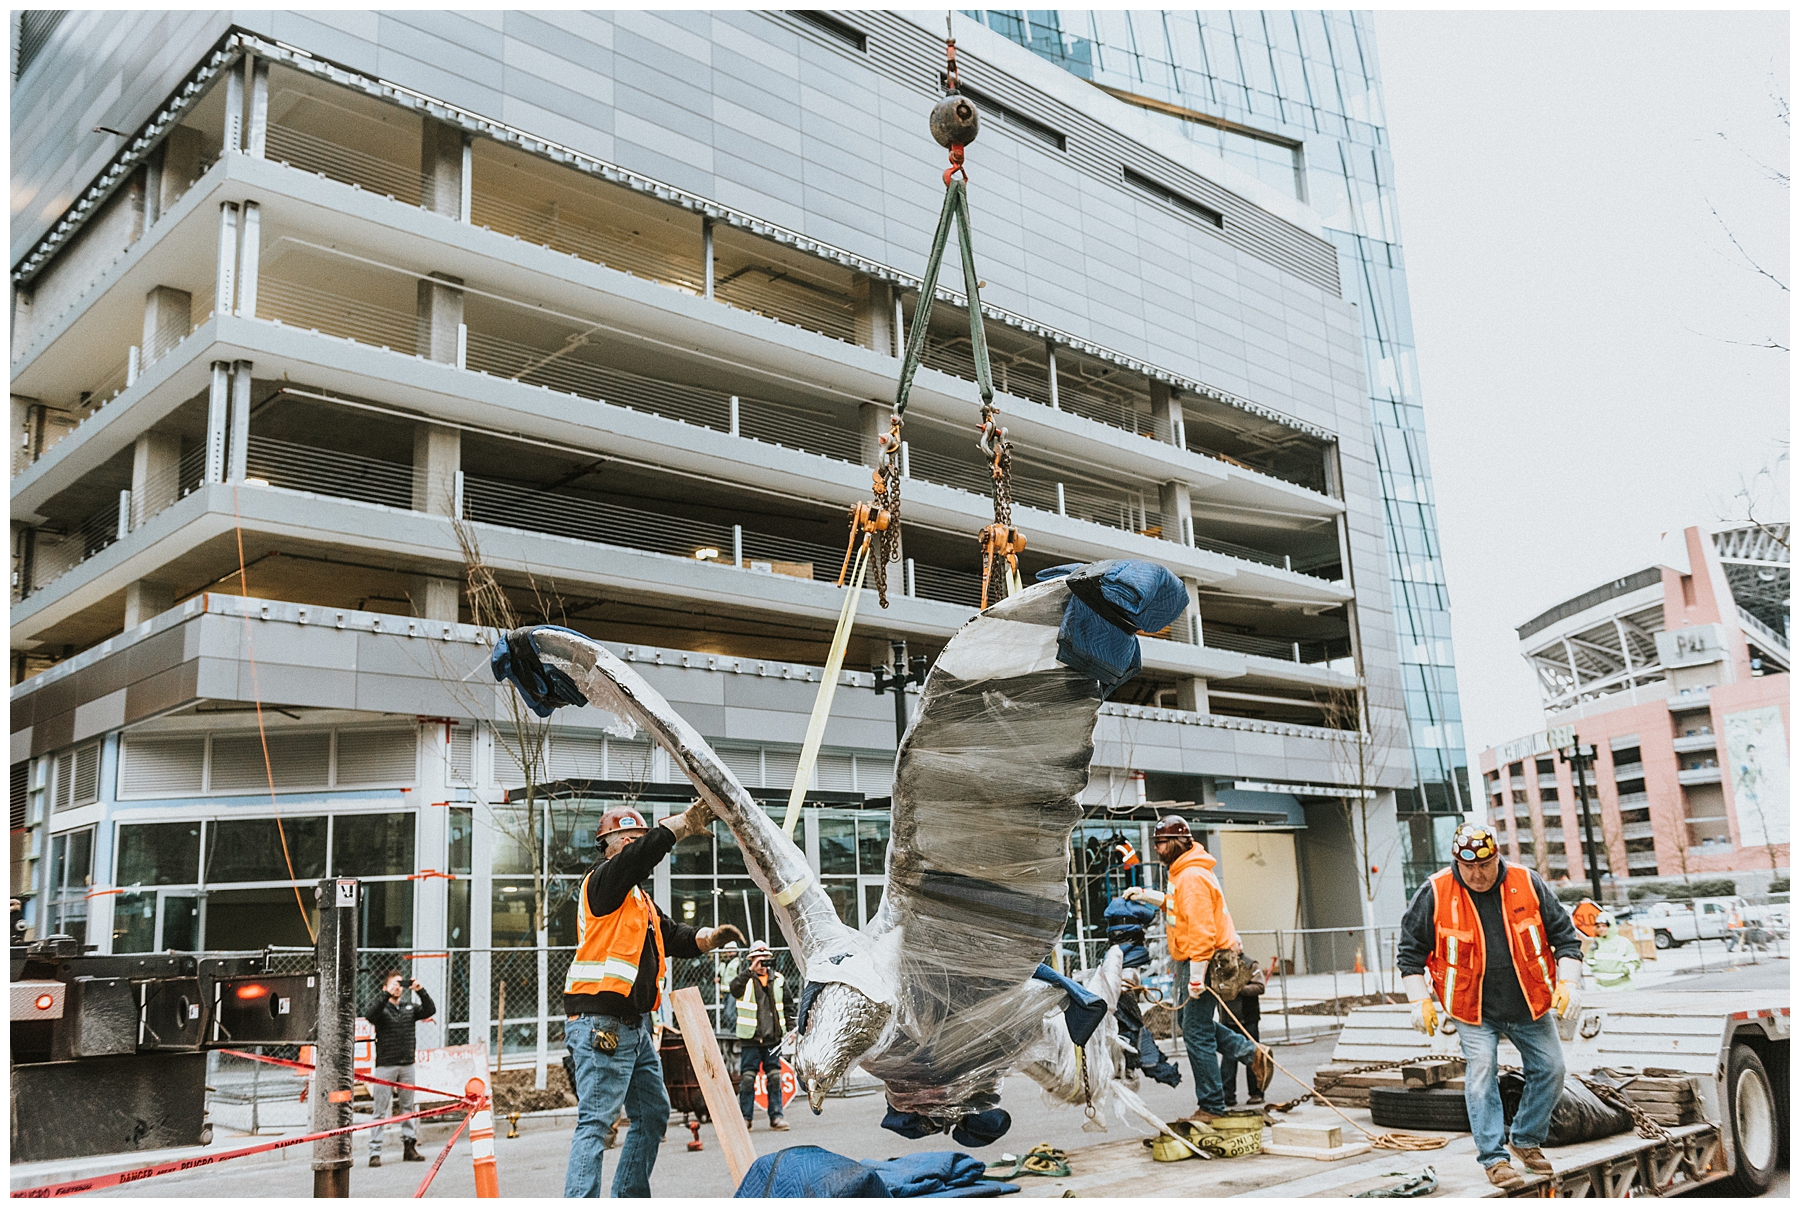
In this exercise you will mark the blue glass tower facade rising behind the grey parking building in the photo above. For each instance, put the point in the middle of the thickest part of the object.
(1295, 98)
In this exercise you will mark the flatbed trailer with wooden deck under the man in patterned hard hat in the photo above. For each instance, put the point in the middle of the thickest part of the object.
(1734, 1045)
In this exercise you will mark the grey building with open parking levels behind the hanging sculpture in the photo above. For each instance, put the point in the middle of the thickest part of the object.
(310, 307)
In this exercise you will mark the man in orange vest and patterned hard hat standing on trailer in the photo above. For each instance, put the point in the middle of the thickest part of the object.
(1506, 960)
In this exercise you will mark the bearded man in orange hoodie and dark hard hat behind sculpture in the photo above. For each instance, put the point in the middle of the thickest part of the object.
(1200, 926)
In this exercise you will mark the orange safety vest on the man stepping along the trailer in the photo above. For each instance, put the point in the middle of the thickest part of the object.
(1459, 957)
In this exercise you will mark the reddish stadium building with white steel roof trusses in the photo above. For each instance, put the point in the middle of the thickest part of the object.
(1678, 678)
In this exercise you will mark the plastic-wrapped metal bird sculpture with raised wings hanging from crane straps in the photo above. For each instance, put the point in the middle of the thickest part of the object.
(944, 993)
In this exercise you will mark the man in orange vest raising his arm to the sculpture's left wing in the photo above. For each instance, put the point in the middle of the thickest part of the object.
(613, 991)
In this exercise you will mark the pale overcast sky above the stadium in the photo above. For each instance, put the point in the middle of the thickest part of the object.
(1576, 302)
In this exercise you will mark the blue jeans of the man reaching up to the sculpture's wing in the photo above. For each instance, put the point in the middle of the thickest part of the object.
(629, 1077)
